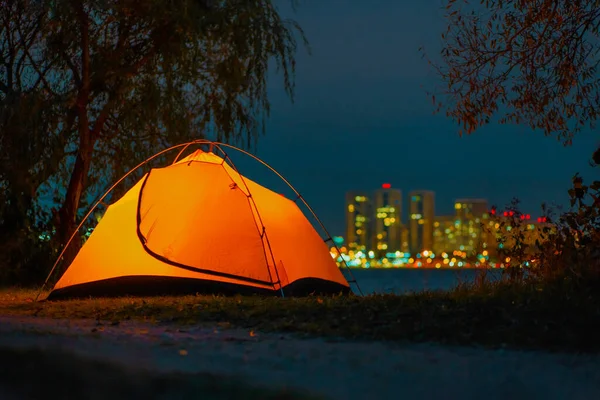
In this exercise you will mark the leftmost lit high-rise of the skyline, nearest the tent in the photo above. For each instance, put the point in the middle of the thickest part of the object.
(358, 213)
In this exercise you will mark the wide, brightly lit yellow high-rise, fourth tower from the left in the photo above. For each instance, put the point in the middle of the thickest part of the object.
(470, 215)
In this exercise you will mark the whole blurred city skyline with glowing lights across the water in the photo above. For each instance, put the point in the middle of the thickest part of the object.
(379, 235)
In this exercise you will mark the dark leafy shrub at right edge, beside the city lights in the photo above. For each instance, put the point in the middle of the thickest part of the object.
(565, 247)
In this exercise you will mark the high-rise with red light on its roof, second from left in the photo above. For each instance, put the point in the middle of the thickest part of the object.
(387, 221)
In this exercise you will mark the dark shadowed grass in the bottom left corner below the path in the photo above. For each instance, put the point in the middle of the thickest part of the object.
(40, 374)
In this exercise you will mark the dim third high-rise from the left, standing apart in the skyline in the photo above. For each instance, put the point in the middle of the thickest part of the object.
(421, 215)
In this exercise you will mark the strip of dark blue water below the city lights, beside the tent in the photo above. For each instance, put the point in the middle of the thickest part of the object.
(404, 280)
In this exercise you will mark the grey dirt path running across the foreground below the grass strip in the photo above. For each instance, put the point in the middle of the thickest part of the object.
(338, 370)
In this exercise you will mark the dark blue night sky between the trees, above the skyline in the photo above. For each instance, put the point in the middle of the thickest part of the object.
(362, 117)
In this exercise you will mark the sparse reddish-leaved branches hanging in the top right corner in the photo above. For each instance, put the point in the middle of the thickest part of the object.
(530, 62)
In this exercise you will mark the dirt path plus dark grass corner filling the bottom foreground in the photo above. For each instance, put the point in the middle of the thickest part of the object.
(162, 360)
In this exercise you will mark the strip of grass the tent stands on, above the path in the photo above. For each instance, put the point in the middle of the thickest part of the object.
(555, 318)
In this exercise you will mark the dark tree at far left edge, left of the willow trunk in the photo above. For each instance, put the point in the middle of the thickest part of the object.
(32, 137)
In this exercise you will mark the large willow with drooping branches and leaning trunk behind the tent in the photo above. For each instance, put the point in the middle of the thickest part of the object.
(130, 76)
